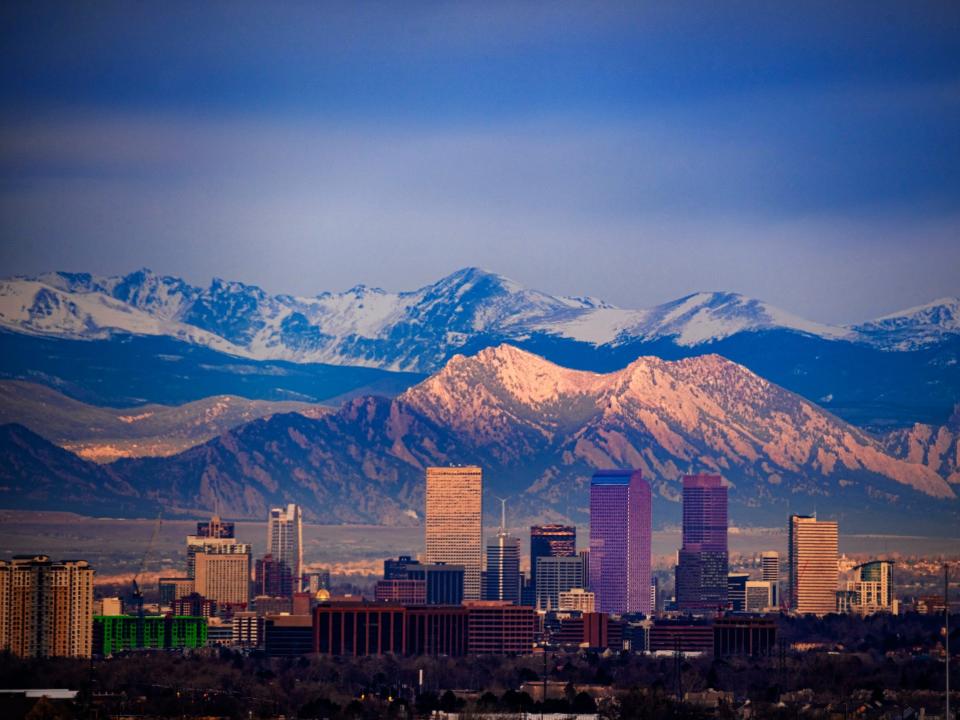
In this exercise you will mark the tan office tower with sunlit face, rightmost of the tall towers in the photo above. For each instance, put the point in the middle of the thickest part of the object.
(813, 578)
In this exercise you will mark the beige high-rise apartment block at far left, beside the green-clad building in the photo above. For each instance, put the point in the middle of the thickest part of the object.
(46, 608)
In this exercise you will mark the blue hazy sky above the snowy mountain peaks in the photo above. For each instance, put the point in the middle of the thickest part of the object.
(807, 154)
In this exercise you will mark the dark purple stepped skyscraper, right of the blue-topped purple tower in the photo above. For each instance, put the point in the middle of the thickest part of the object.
(701, 581)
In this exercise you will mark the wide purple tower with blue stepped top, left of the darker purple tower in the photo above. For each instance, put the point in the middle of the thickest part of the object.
(620, 534)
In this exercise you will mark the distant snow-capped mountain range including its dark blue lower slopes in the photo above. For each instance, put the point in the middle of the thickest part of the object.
(892, 371)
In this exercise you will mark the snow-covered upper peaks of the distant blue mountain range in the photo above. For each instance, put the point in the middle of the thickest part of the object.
(417, 330)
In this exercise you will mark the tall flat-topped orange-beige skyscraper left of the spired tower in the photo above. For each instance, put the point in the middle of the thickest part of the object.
(454, 522)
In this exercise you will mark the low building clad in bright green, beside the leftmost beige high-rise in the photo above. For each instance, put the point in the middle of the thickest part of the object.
(116, 633)
